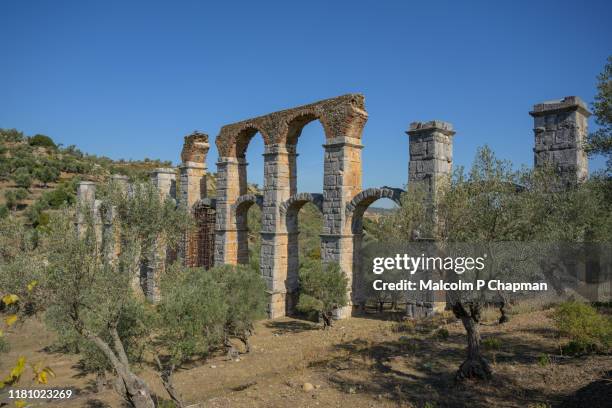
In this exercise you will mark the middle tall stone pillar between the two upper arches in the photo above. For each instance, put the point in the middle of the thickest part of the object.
(274, 239)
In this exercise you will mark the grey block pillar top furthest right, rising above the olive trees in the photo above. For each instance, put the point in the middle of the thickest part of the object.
(560, 129)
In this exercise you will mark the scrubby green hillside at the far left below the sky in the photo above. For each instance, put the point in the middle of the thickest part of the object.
(38, 175)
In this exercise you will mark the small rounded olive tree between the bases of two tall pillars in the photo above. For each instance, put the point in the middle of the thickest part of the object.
(323, 288)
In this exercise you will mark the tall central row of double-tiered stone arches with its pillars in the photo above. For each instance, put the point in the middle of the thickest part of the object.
(341, 204)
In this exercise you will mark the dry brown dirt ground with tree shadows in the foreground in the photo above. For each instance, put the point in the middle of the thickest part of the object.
(360, 362)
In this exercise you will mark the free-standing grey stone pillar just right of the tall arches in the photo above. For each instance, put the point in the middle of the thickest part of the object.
(431, 154)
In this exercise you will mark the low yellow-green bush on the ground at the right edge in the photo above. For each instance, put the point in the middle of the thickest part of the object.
(588, 330)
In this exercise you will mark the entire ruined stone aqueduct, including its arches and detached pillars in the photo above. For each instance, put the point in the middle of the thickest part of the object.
(222, 231)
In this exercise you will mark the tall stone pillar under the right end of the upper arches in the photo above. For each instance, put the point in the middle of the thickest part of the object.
(341, 182)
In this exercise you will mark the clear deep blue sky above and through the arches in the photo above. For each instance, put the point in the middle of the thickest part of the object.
(129, 79)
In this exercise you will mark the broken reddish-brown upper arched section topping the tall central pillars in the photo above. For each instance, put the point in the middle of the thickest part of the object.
(343, 116)
